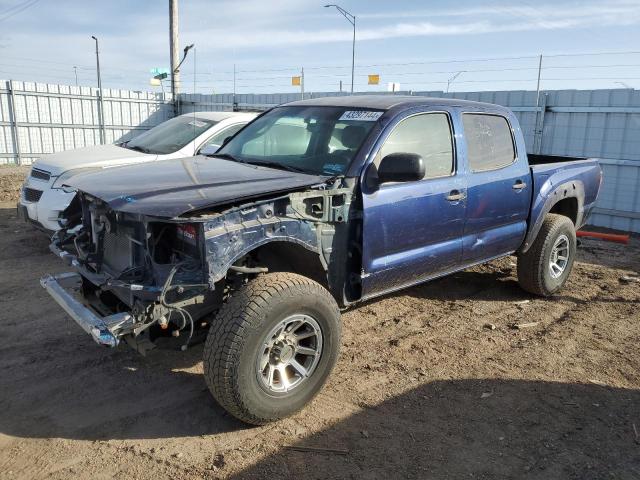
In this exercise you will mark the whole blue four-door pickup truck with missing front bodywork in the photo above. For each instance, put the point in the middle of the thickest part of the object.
(313, 207)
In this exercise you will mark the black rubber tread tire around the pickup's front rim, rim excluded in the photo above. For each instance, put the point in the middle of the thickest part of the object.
(237, 333)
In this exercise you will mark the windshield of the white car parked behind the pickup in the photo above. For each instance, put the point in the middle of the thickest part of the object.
(170, 136)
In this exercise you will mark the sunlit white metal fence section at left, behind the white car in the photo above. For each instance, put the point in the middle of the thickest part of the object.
(41, 118)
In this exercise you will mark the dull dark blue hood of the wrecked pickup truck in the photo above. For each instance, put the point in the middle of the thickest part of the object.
(174, 187)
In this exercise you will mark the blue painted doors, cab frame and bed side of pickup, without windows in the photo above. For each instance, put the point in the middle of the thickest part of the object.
(412, 233)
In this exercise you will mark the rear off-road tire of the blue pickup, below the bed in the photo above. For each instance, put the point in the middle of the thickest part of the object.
(534, 274)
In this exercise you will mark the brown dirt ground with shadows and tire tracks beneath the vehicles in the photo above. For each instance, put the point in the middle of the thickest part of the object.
(424, 388)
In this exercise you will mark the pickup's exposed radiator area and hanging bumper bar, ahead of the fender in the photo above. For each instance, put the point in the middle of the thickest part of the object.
(133, 272)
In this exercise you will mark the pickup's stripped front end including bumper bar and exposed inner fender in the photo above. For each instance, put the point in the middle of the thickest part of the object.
(140, 279)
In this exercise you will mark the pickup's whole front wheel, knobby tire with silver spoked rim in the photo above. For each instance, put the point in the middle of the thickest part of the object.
(272, 346)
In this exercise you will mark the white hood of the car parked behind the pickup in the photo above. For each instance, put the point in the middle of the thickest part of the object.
(96, 156)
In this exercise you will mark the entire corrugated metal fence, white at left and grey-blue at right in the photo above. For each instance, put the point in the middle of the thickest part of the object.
(37, 118)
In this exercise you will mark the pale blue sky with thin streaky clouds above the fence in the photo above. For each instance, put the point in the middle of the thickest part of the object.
(421, 45)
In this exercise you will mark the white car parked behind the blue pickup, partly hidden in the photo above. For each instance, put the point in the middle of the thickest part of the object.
(42, 198)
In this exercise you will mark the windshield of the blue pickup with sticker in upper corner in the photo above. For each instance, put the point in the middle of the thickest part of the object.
(315, 140)
